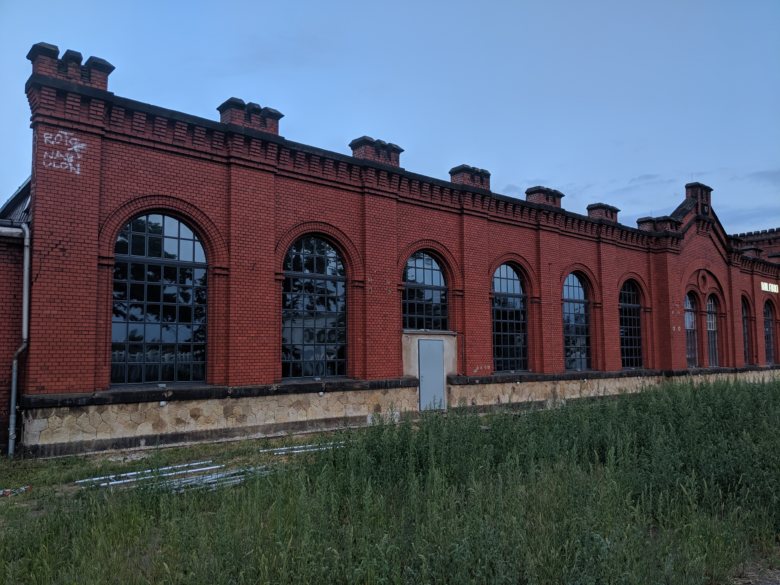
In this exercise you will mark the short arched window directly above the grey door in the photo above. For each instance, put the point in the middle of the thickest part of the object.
(424, 304)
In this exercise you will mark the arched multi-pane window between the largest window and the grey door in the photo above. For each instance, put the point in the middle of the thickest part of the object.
(314, 310)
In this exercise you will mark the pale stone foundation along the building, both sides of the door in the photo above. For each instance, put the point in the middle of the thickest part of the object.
(68, 429)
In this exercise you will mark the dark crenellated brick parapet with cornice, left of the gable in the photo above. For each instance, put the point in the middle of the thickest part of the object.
(62, 91)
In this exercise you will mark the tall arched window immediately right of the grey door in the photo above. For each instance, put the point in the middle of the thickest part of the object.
(510, 325)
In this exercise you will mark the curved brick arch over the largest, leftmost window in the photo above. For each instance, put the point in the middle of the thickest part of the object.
(210, 236)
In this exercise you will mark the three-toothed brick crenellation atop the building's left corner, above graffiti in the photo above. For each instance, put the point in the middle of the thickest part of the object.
(45, 60)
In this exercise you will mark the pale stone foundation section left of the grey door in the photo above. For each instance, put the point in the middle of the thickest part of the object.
(67, 429)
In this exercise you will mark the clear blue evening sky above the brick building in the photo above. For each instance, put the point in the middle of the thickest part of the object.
(615, 101)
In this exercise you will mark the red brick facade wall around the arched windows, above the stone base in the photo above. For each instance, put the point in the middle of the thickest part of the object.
(100, 160)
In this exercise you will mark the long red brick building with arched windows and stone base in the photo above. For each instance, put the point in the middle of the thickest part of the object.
(256, 285)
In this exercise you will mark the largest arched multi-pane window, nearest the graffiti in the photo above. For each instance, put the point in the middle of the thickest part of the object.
(158, 329)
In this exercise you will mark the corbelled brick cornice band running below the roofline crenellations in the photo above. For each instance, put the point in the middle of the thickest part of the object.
(142, 123)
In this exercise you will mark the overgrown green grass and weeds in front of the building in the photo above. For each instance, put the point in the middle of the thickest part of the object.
(678, 485)
